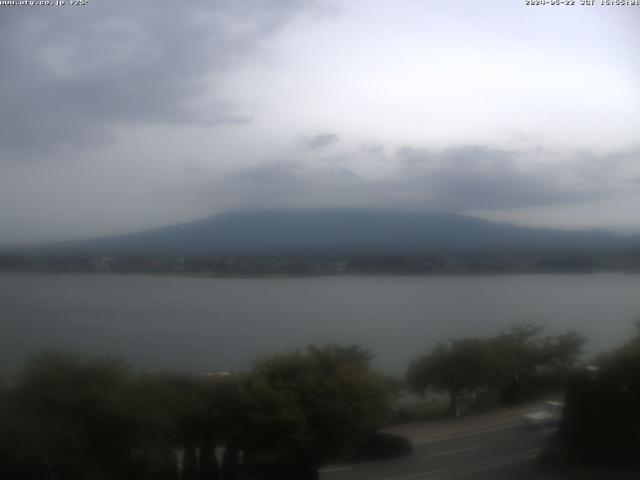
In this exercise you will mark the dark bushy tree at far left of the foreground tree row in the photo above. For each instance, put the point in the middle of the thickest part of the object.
(69, 418)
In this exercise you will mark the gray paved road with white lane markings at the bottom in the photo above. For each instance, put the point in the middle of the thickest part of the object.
(505, 452)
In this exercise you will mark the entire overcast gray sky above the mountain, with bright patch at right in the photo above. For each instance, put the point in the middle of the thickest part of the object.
(119, 116)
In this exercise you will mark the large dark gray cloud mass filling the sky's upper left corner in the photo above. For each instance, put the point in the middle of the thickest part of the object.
(71, 74)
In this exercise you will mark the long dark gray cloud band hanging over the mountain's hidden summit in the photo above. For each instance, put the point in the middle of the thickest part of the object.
(460, 179)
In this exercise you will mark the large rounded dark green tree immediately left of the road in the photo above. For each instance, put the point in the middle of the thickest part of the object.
(313, 406)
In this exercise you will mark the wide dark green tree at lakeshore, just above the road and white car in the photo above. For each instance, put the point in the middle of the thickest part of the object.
(514, 363)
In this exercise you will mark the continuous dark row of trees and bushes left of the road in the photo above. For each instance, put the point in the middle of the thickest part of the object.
(71, 418)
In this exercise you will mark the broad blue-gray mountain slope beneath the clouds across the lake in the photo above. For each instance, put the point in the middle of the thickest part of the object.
(343, 232)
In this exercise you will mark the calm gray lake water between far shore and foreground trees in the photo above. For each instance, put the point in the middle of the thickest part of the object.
(199, 324)
